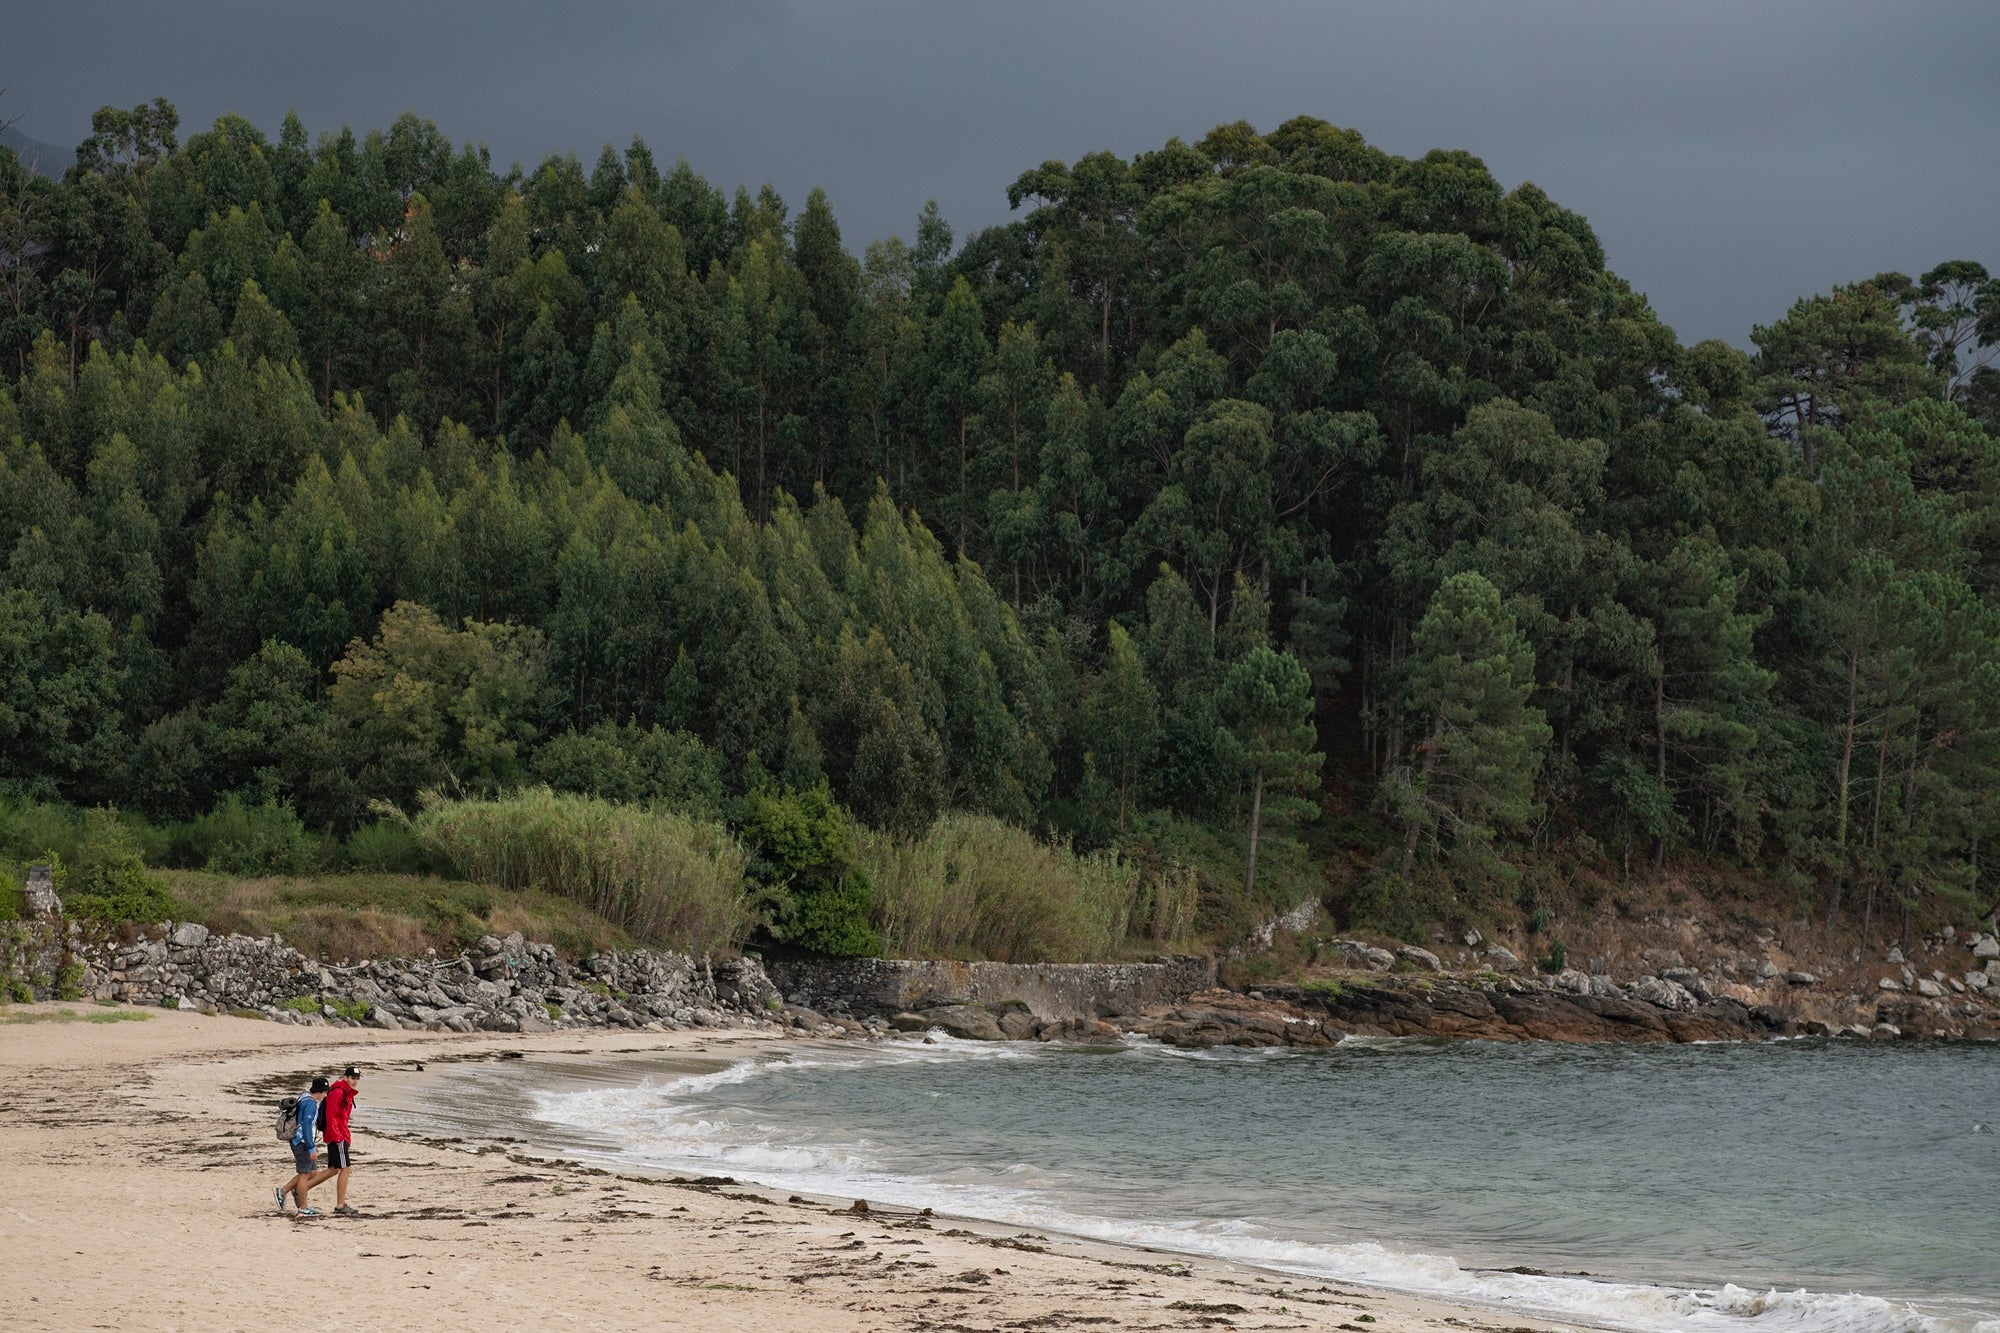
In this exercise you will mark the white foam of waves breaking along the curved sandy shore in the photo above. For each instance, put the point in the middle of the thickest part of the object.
(667, 1126)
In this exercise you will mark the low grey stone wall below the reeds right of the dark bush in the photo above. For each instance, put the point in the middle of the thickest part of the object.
(1051, 992)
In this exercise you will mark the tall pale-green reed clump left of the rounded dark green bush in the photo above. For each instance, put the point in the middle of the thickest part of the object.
(663, 878)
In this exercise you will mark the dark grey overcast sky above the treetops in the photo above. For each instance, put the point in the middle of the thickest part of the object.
(1731, 157)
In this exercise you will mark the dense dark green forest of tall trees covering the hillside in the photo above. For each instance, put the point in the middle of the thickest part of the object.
(1269, 505)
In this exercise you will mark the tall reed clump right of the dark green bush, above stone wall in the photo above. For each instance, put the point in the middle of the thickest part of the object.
(975, 888)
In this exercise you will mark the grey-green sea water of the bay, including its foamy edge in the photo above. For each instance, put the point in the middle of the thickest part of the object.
(1841, 1188)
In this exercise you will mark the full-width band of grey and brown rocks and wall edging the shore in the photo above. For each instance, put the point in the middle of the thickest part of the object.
(513, 986)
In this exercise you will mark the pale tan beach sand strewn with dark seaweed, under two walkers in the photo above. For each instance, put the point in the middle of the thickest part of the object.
(137, 1172)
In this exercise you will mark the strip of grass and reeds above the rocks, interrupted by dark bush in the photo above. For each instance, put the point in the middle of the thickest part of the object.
(589, 874)
